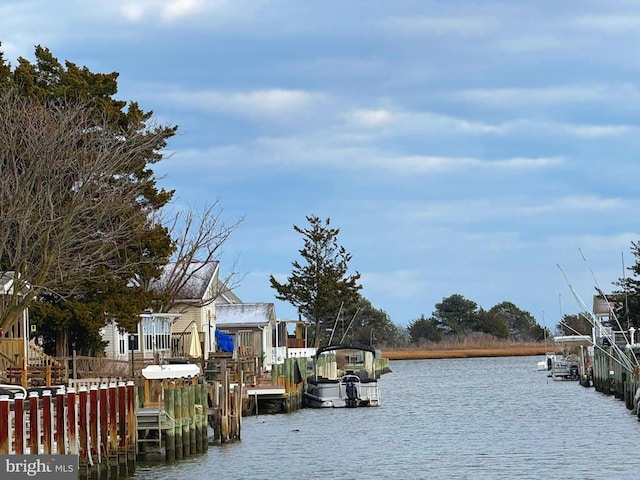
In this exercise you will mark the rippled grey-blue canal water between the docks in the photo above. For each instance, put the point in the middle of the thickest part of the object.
(484, 418)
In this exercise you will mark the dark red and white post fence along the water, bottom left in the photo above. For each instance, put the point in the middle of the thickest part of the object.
(97, 423)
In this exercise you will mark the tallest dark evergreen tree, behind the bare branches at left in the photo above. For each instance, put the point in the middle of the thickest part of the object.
(142, 246)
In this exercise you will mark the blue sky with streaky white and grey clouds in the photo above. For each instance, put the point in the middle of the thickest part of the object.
(486, 149)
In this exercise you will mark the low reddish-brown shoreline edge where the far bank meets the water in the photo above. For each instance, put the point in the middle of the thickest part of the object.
(432, 354)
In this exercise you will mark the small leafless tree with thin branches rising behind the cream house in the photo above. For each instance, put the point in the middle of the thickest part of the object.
(198, 238)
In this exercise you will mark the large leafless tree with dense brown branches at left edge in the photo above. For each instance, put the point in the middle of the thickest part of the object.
(68, 203)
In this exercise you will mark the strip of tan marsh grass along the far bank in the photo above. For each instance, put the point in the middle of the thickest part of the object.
(468, 349)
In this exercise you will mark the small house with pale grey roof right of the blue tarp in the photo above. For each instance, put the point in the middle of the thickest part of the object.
(255, 329)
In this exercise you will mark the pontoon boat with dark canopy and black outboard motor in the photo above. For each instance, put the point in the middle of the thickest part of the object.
(343, 376)
